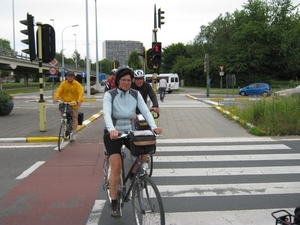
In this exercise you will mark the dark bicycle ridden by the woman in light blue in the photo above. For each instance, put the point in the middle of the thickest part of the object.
(142, 191)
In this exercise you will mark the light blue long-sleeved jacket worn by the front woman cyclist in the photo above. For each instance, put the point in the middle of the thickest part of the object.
(118, 112)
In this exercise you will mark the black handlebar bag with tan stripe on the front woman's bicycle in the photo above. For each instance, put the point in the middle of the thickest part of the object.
(142, 142)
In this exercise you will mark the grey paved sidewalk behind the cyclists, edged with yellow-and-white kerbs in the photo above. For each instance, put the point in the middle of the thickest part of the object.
(22, 125)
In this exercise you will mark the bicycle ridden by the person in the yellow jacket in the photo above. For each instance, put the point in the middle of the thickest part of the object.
(66, 125)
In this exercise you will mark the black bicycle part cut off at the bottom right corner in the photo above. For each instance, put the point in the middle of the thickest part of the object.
(283, 217)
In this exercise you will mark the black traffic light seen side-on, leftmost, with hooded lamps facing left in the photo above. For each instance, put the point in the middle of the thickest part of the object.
(31, 40)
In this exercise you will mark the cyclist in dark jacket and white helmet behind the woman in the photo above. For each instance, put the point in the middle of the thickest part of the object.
(145, 89)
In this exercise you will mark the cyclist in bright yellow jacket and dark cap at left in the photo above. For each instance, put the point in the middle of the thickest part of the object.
(70, 90)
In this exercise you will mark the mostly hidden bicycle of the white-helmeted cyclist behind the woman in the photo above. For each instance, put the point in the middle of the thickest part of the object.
(141, 124)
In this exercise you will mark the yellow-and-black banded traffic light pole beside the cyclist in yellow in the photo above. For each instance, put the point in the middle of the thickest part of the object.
(42, 106)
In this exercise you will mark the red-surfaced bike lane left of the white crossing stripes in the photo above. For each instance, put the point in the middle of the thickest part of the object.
(61, 191)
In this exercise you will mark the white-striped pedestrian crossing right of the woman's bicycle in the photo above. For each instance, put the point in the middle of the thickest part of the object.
(234, 182)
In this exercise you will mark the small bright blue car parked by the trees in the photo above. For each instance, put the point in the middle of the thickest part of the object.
(256, 89)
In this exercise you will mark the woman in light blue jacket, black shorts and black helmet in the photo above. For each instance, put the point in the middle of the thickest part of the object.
(119, 107)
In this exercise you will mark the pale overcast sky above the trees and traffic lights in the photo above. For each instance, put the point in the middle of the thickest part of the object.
(117, 20)
